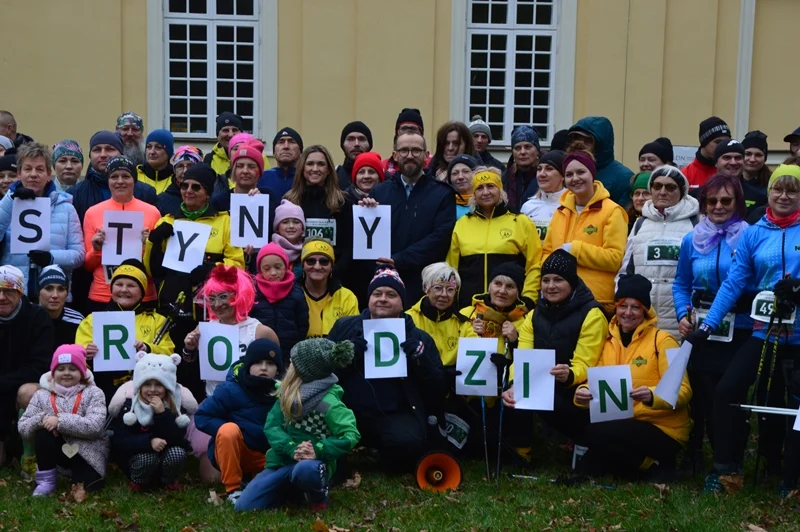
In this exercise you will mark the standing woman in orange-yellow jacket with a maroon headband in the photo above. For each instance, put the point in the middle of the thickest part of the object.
(591, 227)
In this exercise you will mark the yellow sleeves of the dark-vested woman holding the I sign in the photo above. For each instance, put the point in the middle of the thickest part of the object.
(591, 341)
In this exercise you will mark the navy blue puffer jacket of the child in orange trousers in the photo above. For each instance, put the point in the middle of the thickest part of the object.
(231, 402)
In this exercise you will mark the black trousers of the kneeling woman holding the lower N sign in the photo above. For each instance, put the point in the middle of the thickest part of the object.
(621, 446)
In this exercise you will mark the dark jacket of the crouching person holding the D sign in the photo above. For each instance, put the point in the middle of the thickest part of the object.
(422, 393)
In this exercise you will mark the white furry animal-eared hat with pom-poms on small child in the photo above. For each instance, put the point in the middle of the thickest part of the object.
(163, 369)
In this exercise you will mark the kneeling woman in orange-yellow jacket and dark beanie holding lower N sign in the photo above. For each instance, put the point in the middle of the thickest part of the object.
(650, 441)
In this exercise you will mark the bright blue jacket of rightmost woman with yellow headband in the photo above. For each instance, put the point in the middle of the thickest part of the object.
(765, 254)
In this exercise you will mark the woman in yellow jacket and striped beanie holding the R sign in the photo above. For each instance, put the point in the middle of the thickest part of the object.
(128, 284)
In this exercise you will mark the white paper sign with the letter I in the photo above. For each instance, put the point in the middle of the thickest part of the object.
(534, 387)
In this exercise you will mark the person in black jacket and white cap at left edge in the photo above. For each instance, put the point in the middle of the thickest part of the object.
(26, 348)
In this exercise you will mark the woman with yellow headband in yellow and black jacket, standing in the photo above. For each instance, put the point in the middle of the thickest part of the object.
(490, 235)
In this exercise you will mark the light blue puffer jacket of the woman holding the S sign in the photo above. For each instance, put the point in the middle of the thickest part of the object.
(66, 235)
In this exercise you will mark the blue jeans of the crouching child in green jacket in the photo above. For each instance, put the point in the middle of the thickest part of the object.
(270, 487)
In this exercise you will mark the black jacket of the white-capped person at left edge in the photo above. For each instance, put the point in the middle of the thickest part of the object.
(26, 348)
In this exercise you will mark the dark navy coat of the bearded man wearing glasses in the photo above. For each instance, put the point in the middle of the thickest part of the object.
(422, 226)
